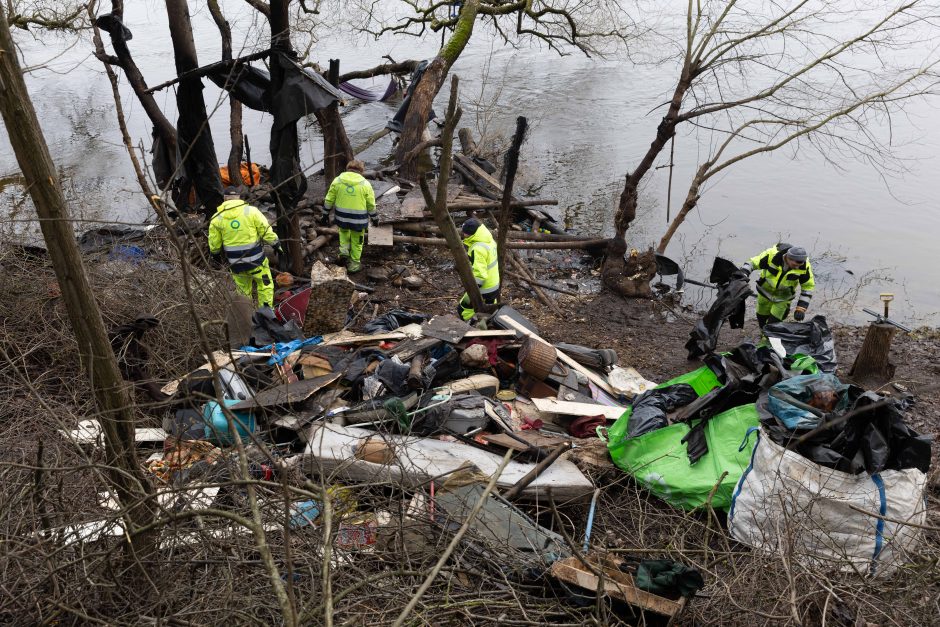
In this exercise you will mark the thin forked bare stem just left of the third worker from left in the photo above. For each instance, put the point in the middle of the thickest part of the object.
(438, 205)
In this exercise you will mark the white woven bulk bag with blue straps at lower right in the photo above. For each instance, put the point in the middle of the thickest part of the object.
(785, 502)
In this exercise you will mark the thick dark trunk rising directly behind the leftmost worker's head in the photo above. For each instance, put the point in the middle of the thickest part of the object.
(194, 135)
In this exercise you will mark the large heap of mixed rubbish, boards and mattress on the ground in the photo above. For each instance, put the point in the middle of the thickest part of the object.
(477, 429)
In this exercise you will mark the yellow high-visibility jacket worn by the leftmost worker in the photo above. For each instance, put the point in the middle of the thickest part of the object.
(242, 231)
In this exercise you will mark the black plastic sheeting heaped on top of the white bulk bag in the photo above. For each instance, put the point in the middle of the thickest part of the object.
(872, 441)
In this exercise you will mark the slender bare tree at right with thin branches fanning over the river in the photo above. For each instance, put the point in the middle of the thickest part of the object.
(759, 76)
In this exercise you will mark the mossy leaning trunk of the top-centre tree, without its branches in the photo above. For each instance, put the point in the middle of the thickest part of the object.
(416, 120)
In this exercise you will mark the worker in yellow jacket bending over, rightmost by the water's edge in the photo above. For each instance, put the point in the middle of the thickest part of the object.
(783, 269)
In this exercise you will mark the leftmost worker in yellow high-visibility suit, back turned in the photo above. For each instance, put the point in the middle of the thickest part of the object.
(241, 231)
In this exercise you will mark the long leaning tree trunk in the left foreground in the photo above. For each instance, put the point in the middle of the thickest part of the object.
(112, 398)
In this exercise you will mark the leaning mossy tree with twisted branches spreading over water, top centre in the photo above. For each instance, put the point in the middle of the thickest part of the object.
(562, 25)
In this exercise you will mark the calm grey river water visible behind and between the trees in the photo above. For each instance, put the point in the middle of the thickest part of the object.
(591, 120)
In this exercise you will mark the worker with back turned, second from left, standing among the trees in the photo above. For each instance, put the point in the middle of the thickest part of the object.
(353, 199)
